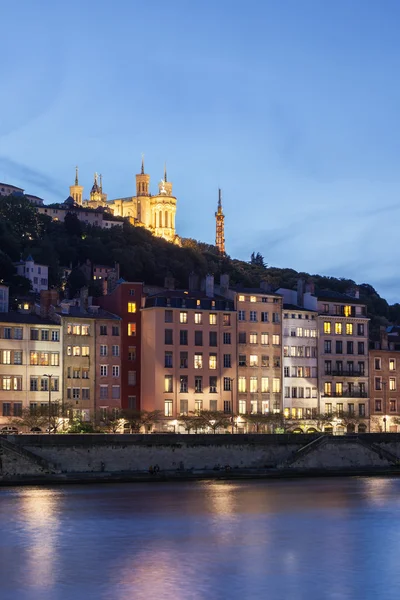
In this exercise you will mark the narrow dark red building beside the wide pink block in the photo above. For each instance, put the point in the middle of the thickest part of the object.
(126, 301)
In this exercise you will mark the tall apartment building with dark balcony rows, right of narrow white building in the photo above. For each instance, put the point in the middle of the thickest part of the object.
(343, 355)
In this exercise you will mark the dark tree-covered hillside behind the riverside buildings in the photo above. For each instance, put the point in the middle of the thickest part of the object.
(142, 257)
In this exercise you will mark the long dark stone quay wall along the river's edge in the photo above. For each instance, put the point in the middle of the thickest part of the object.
(51, 456)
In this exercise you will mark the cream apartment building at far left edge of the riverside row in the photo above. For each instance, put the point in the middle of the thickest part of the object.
(30, 363)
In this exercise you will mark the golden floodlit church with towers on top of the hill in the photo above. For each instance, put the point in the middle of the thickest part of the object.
(155, 213)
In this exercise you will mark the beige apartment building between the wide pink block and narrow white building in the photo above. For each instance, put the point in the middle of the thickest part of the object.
(259, 347)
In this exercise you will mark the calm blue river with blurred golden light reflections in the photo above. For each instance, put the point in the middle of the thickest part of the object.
(301, 539)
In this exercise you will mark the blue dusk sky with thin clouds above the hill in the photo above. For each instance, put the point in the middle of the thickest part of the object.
(290, 106)
